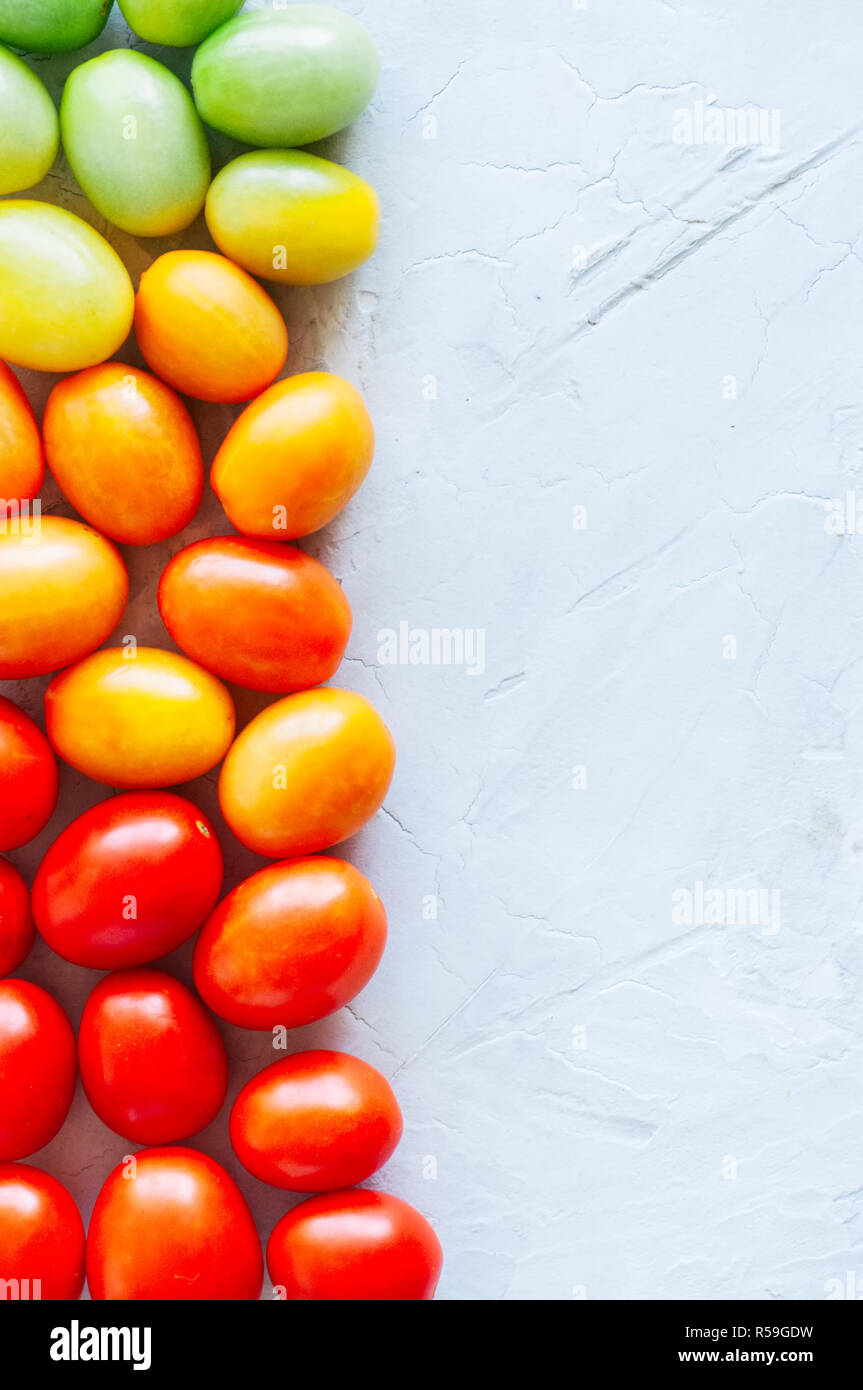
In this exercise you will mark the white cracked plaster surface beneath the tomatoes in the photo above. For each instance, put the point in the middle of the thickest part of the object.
(586, 294)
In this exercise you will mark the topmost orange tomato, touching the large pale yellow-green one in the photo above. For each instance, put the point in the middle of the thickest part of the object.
(208, 327)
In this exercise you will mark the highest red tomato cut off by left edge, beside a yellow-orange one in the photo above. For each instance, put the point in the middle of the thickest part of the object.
(28, 778)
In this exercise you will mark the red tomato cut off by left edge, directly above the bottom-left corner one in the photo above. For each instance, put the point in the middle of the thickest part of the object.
(38, 1068)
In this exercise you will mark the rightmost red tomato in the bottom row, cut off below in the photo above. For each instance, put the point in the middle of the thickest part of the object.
(355, 1246)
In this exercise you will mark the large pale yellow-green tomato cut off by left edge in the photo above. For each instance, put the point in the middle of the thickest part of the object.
(67, 298)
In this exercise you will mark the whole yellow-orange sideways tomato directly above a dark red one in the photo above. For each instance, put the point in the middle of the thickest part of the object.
(140, 719)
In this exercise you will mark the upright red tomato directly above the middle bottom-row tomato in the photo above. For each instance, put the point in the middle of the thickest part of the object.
(152, 1061)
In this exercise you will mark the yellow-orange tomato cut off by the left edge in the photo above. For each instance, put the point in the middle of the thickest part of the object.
(63, 590)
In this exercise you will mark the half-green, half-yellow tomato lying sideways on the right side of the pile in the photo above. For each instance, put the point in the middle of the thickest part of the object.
(293, 218)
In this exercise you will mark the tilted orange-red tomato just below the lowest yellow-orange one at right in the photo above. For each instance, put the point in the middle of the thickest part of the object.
(291, 945)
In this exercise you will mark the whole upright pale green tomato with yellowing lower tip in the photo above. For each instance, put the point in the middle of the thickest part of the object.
(135, 144)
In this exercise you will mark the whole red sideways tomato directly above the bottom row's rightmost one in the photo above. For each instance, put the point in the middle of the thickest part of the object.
(315, 1122)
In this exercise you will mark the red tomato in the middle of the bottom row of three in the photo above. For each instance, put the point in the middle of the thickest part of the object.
(173, 1225)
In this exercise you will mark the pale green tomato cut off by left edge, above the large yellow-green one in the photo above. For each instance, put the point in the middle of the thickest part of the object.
(30, 131)
